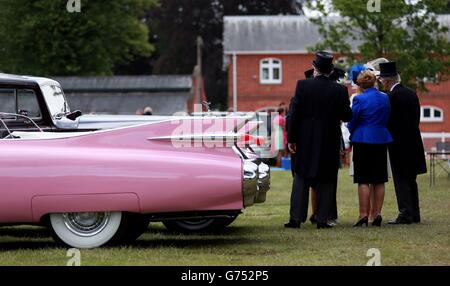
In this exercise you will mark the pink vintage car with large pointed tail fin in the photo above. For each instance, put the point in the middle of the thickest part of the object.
(93, 188)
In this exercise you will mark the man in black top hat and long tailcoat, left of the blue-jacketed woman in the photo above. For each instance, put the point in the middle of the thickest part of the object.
(314, 135)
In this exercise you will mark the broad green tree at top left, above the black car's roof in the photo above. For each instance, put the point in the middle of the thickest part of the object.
(41, 37)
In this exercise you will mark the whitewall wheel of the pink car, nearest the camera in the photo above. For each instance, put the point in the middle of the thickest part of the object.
(85, 229)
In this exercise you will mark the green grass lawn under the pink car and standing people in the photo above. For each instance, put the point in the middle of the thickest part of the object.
(258, 237)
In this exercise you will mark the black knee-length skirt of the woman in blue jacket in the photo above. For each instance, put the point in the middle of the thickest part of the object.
(370, 163)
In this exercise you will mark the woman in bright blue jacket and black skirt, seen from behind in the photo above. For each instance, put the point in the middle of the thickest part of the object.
(370, 137)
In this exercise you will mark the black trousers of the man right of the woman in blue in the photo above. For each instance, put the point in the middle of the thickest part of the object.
(407, 194)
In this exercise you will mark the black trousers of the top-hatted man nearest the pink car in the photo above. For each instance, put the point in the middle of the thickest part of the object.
(326, 199)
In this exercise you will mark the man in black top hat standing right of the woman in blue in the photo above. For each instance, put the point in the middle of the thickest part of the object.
(406, 152)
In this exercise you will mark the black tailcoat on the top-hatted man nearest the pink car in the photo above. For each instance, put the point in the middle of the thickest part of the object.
(317, 109)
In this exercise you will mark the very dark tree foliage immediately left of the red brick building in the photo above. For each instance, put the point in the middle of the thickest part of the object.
(176, 25)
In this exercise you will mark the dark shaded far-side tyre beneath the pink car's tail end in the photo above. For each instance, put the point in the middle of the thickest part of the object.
(198, 225)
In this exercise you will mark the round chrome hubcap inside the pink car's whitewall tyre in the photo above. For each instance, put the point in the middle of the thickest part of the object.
(86, 223)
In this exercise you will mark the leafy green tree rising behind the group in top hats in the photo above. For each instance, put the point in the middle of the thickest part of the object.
(408, 33)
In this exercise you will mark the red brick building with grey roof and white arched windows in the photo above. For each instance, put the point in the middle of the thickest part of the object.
(266, 55)
